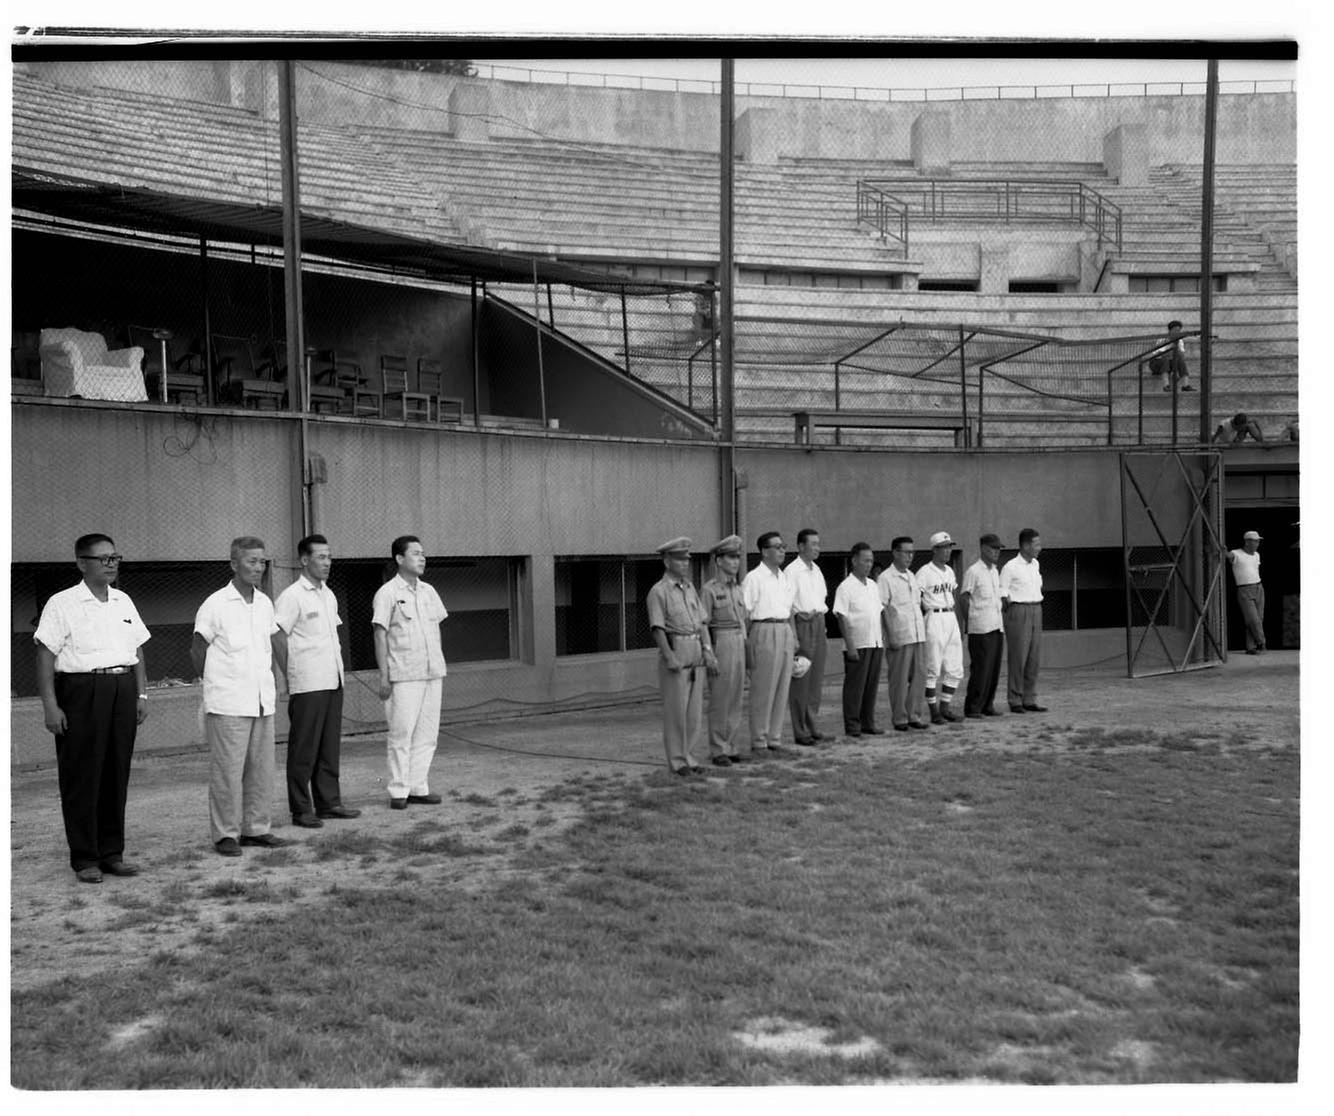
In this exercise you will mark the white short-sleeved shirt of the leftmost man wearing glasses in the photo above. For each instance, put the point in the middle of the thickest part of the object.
(86, 634)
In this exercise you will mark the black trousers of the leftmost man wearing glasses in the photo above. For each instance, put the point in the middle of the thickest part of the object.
(93, 763)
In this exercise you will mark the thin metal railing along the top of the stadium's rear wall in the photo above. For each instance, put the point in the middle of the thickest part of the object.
(814, 91)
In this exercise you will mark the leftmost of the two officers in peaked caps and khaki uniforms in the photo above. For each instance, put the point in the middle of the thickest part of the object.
(681, 630)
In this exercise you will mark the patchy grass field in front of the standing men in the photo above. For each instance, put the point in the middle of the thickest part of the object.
(1088, 907)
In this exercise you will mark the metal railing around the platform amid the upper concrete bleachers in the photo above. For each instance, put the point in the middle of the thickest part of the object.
(890, 205)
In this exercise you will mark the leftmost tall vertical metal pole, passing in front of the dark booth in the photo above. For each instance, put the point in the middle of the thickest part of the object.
(293, 285)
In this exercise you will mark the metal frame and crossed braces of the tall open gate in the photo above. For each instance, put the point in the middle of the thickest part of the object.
(1208, 511)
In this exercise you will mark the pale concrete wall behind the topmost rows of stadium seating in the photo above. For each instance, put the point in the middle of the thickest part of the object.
(1256, 129)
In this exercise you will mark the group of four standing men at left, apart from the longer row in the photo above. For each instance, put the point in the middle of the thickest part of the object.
(93, 683)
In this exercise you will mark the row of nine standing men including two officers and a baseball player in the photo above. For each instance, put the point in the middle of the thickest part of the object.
(770, 630)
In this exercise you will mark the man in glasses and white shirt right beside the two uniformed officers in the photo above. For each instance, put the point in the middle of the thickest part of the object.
(770, 643)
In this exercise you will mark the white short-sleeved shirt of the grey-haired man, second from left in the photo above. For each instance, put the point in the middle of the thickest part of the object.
(239, 666)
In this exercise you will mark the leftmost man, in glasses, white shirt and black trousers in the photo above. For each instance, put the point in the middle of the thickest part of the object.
(93, 686)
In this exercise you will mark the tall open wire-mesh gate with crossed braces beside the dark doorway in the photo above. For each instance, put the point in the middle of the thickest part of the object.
(1172, 537)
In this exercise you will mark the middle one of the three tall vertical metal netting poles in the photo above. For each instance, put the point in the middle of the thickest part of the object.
(728, 294)
